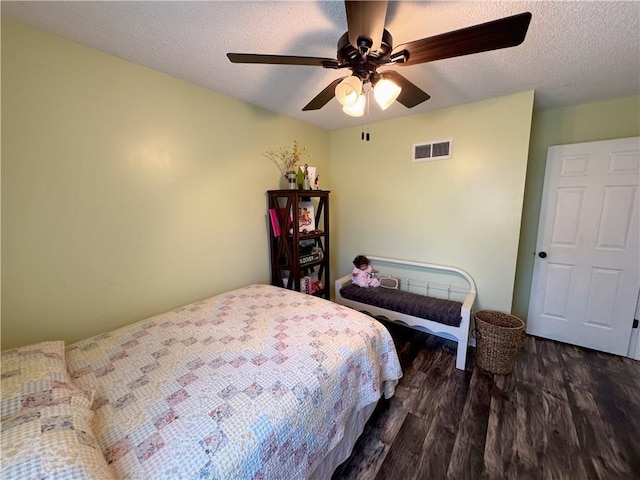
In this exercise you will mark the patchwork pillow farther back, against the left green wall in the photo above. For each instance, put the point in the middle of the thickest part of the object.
(35, 376)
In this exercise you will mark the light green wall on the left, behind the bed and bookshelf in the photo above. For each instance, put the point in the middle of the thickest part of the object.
(125, 192)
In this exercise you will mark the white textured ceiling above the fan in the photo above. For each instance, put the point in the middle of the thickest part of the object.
(575, 52)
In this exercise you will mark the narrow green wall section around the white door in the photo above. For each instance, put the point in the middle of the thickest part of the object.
(617, 118)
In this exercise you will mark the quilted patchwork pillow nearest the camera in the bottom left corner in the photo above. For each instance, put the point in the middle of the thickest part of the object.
(52, 442)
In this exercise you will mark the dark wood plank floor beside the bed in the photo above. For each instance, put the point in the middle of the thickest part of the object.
(564, 413)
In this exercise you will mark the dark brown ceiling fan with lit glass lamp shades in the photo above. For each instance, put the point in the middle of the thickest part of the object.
(367, 45)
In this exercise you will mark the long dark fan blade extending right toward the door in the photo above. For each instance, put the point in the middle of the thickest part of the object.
(502, 33)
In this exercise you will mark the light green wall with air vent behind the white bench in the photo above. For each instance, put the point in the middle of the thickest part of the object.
(464, 211)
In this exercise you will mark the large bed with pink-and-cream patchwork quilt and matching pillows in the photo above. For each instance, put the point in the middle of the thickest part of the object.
(256, 383)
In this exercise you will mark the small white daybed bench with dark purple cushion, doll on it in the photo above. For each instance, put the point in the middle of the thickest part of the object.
(437, 308)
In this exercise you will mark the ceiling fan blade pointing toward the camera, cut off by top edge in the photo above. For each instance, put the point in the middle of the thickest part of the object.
(365, 20)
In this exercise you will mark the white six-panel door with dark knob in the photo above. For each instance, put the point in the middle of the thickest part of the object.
(586, 274)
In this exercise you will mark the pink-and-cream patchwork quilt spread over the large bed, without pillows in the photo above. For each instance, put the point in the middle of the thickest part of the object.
(255, 383)
